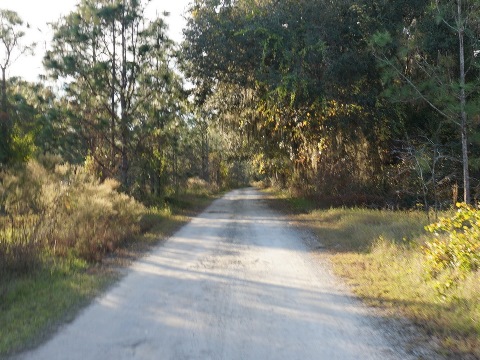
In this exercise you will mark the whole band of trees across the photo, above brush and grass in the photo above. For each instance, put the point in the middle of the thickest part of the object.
(365, 102)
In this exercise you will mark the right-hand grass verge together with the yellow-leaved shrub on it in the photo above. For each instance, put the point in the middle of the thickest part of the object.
(406, 264)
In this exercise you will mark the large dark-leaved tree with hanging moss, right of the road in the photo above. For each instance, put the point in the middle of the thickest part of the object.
(298, 80)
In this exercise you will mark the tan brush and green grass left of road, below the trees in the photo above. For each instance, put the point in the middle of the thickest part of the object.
(63, 238)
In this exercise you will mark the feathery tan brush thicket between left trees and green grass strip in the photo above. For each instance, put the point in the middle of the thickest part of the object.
(49, 209)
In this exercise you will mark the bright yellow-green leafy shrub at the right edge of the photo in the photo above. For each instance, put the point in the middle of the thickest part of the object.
(454, 252)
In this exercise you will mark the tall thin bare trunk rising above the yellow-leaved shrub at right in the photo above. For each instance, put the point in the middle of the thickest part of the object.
(463, 100)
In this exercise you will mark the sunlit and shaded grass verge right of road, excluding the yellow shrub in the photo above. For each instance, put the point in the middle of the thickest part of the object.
(379, 253)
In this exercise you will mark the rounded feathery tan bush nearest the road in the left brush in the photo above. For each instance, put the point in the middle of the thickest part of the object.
(86, 216)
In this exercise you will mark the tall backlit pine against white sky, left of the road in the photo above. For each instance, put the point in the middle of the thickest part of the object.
(116, 64)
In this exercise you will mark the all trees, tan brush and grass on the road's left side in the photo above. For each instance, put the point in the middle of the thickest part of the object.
(93, 174)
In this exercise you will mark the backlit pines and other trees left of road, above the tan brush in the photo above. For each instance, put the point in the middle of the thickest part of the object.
(118, 103)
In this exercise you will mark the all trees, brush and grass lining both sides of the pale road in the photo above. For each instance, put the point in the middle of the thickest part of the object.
(346, 103)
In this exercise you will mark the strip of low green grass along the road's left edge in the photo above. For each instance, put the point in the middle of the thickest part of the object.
(32, 306)
